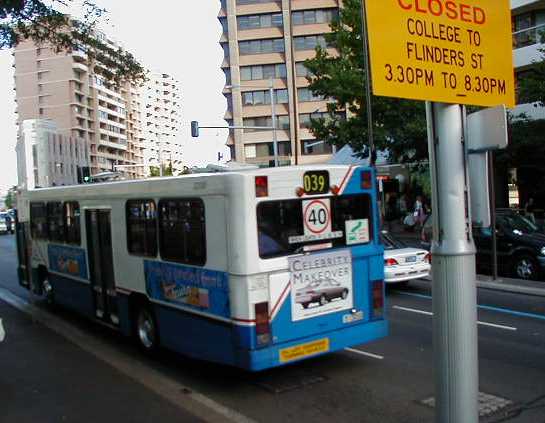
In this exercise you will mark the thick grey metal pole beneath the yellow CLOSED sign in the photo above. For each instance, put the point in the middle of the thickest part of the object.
(453, 252)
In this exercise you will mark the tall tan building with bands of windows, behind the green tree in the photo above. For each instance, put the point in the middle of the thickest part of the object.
(266, 41)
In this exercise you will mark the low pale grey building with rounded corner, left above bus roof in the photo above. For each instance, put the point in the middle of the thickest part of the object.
(47, 158)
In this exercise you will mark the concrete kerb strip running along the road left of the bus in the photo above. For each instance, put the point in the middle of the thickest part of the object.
(155, 380)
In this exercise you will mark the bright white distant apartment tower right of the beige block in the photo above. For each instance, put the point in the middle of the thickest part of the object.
(162, 119)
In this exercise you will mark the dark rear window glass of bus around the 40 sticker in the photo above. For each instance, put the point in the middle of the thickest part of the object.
(278, 221)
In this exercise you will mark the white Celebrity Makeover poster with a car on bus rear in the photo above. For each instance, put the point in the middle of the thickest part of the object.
(320, 284)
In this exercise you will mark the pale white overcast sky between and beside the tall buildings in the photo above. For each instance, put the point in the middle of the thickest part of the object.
(167, 36)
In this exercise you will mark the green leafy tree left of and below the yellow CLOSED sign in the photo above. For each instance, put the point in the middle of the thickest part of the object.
(398, 125)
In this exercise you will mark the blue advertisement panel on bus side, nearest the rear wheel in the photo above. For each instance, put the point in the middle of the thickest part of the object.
(199, 289)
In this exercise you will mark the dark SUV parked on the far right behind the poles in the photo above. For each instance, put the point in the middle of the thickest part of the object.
(521, 245)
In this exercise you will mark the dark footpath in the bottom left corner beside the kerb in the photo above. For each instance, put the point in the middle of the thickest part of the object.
(46, 378)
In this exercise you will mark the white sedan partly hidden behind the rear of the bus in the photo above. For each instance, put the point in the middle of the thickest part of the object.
(402, 263)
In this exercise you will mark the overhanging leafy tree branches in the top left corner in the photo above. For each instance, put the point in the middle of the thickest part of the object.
(42, 22)
